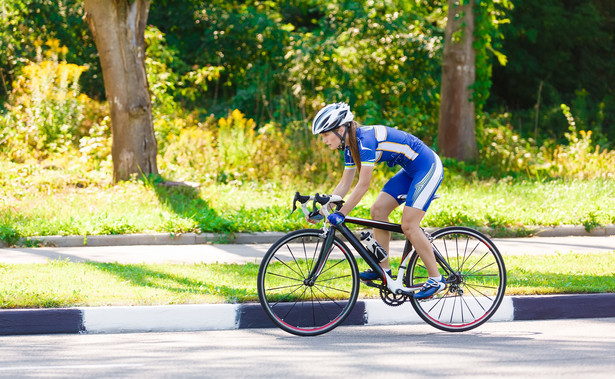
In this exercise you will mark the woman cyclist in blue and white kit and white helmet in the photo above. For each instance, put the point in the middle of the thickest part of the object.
(419, 177)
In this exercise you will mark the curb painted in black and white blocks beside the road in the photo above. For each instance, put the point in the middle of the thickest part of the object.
(201, 317)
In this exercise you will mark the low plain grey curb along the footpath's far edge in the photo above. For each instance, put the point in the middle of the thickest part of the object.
(259, 237)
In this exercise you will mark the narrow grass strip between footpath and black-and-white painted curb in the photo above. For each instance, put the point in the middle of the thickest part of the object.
(65, 284)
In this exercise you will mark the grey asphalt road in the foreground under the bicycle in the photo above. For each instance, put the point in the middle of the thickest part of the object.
(556, 348)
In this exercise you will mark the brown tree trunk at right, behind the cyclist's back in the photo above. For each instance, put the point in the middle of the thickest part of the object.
(457, 138)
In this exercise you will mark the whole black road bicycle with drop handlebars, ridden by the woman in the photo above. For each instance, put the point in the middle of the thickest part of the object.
(308, 281)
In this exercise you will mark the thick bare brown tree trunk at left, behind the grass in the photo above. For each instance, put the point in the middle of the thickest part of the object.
(118, 28)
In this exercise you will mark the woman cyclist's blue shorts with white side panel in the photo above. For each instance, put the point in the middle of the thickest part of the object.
(419, 180)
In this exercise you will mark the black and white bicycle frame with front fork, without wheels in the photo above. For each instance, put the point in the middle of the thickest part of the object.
(395, 286)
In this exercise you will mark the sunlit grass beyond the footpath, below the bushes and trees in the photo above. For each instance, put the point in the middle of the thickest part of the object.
(39, 201)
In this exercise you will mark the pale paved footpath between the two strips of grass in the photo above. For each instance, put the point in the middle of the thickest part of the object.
(234, 253)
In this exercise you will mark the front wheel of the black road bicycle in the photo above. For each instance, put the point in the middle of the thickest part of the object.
(290, 300)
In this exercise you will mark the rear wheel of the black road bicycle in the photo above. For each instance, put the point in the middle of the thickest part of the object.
(474, 290)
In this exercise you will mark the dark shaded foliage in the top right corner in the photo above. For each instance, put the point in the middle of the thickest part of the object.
(560, 52)
